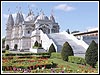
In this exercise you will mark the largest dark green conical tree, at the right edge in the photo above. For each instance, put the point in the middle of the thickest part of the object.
(91, 55)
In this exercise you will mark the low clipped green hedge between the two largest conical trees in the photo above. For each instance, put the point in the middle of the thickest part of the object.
(78, 60)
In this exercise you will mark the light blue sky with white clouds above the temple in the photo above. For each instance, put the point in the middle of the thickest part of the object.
(69, 15)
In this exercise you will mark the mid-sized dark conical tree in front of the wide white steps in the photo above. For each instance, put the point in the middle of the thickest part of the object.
(66, 51)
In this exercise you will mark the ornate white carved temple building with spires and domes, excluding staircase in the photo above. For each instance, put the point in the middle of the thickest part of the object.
(20, 31)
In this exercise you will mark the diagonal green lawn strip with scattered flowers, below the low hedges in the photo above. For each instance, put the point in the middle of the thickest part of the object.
(73, 67)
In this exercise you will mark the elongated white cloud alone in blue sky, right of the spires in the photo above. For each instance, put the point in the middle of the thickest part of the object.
(64, 7)
